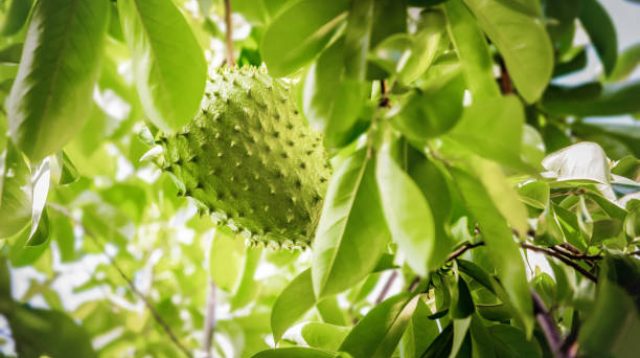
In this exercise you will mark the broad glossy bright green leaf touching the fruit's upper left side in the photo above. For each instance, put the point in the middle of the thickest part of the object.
(168, 63)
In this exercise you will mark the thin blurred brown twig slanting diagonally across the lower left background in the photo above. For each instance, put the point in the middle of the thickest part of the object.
(154, 313)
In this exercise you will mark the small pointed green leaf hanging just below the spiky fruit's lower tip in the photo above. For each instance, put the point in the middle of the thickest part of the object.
(296, 299)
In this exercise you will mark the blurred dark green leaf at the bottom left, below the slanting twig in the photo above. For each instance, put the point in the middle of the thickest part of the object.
(39, 332)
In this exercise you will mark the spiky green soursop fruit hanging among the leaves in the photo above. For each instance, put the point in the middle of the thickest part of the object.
(251, 160)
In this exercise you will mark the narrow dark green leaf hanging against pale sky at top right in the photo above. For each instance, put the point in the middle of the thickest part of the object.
(598, 24)
